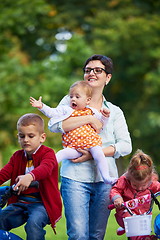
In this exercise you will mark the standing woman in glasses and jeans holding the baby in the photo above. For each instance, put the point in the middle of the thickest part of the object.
(85, 195)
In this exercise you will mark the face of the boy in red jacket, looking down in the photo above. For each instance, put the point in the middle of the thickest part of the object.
(30, 138)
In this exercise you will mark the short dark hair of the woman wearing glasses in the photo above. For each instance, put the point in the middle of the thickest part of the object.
(106, 61)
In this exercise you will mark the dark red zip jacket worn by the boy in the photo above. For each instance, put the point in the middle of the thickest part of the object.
(45, 172)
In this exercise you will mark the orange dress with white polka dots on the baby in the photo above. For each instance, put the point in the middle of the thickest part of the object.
(81, 137)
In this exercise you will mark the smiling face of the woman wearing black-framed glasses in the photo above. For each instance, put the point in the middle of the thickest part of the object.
(94, 79)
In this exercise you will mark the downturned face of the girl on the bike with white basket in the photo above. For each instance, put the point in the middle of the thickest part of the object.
(140, 185)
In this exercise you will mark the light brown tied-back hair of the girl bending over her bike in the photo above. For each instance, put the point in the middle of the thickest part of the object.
(141, 166)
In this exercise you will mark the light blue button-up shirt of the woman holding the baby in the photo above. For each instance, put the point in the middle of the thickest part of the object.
(115, 133)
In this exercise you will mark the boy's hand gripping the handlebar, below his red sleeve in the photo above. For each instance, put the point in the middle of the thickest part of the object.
(23, 182)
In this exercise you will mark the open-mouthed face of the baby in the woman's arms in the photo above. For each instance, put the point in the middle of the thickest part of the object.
(78, 98)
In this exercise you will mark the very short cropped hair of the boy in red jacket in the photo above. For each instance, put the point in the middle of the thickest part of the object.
(31, 119)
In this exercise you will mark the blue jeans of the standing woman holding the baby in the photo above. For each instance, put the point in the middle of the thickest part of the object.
(86, 209)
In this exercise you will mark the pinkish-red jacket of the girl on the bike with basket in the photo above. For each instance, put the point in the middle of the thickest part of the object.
(124, 189)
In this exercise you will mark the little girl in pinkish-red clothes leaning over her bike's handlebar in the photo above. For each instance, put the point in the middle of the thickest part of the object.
(139, 179)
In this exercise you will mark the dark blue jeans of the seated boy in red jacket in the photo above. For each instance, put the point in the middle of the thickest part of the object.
(35, 216)
